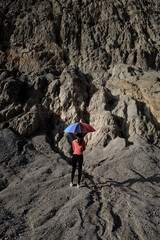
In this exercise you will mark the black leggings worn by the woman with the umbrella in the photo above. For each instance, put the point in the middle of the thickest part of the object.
(77, 159)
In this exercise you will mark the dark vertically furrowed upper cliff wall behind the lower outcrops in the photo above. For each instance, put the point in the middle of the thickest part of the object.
(94, 35)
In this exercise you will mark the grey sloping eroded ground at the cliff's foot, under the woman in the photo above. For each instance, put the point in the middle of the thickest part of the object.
(120, 199)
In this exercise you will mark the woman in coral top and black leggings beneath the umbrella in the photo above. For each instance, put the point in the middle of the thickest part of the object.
(78, 146)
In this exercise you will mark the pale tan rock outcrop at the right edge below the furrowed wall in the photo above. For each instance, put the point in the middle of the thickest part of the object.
(139, 99)
